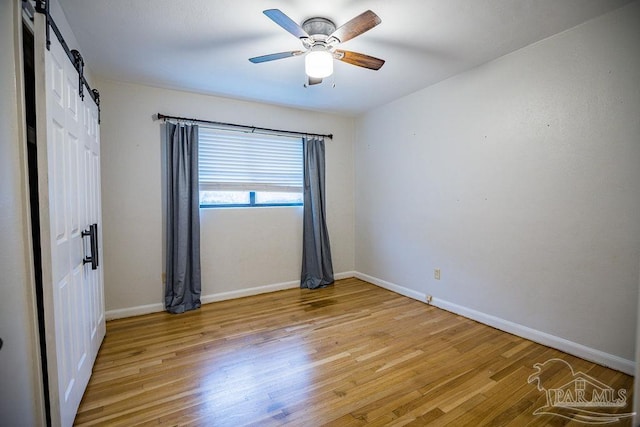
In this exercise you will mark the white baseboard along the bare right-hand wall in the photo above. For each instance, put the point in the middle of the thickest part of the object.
(579, 350)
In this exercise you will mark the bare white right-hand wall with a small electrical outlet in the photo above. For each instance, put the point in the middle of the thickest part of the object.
(520, 180)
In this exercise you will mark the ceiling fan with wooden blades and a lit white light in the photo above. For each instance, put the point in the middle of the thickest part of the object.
(320, 38)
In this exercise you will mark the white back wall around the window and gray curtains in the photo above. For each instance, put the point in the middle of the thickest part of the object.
(241, 248)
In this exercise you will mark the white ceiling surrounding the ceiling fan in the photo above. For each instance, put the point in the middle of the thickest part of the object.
(204, 45)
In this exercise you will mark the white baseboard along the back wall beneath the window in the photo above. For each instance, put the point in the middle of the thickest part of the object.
(222, 296)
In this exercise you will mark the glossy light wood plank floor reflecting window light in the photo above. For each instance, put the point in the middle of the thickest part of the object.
(348, 355)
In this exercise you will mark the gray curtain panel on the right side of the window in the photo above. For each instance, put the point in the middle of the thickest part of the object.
(317, 269)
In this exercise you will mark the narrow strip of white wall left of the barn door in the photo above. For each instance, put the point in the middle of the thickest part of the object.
(20, 392)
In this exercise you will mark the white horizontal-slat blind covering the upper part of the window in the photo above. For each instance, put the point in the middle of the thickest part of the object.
(238, 161)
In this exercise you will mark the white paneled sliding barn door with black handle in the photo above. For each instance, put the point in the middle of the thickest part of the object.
(69, 187)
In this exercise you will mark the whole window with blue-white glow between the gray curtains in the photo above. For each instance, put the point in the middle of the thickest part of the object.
(249, 170)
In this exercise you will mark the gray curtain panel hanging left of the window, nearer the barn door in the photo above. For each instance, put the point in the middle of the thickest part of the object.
(182, 291)
